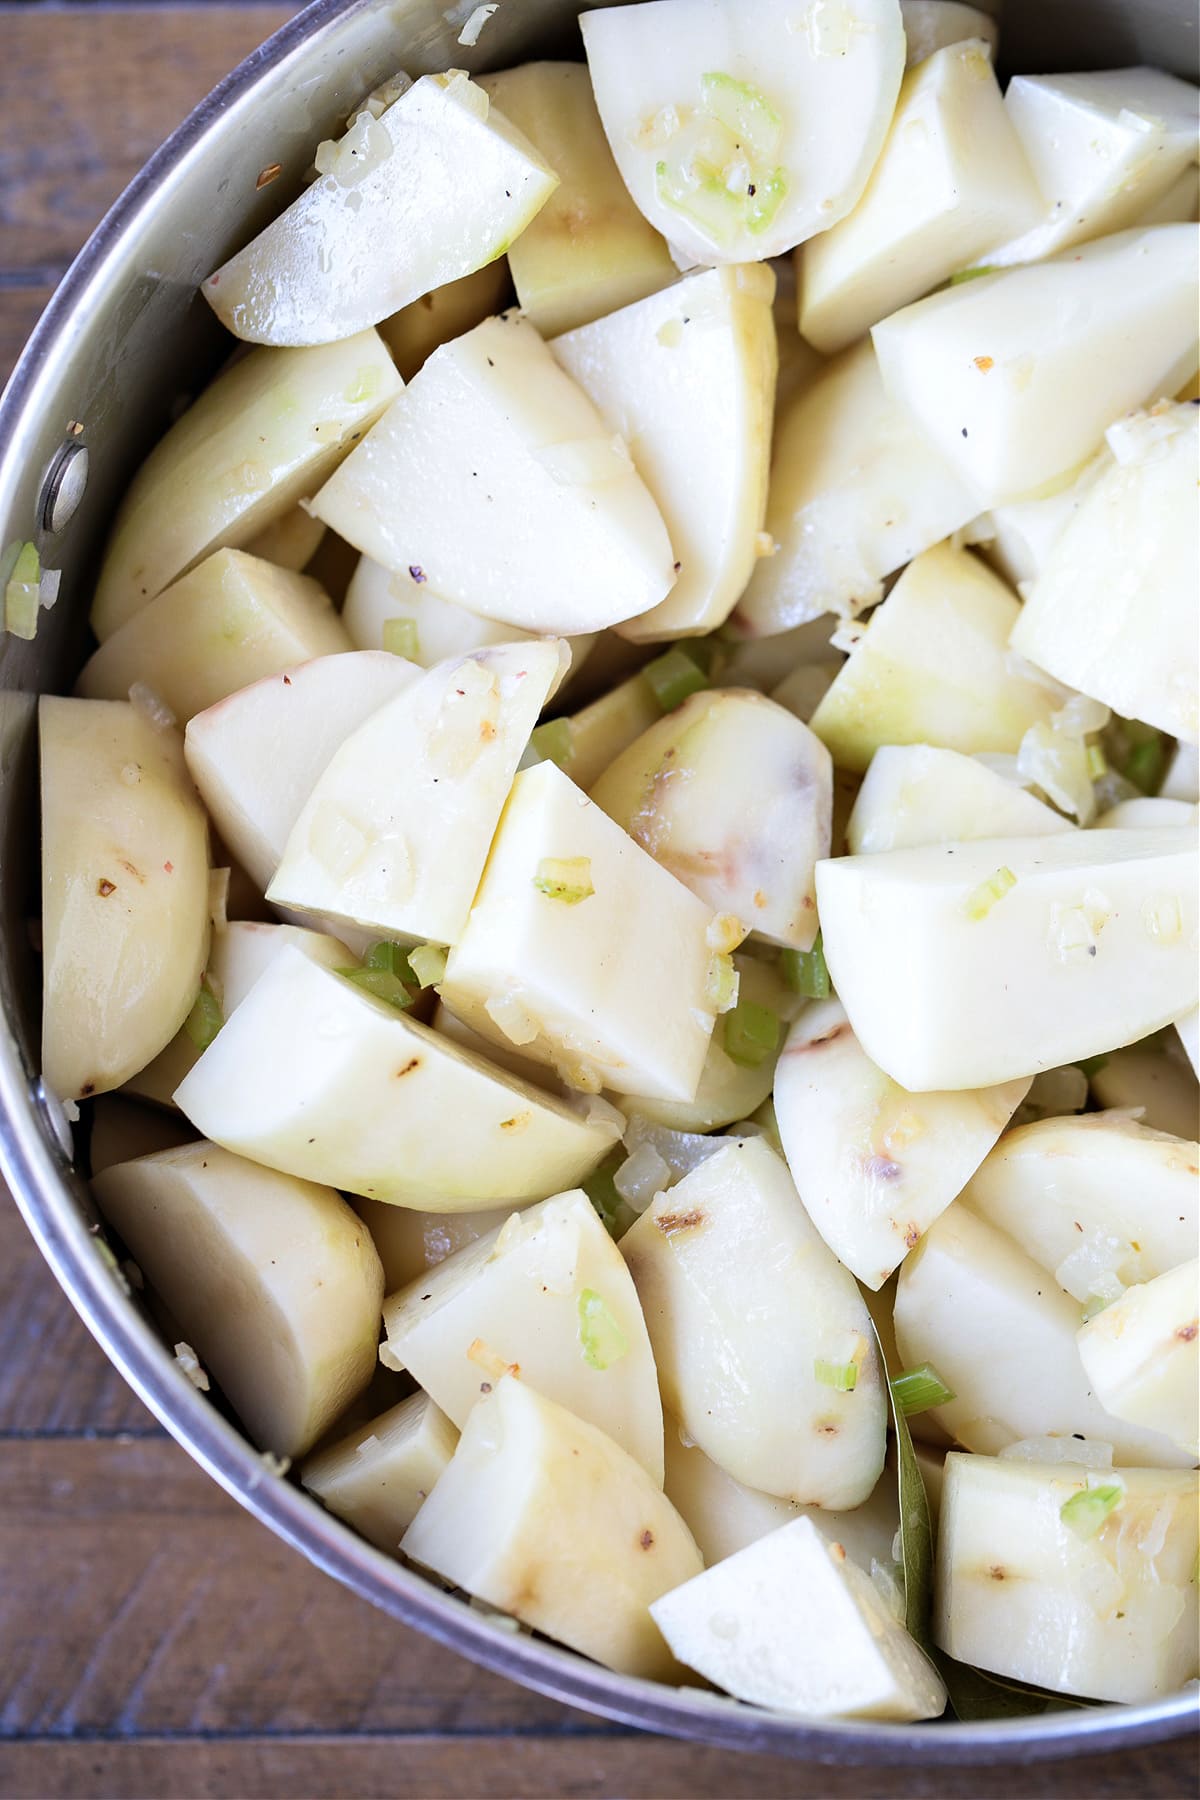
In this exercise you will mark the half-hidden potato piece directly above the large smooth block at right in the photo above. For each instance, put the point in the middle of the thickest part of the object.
(918, 795)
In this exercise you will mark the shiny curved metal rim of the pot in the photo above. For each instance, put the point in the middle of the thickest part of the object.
(53, 1200)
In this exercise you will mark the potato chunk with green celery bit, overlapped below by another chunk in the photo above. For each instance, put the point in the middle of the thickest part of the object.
(546, 1293)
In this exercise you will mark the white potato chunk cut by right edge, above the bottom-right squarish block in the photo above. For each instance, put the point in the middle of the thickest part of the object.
(1142, 1356)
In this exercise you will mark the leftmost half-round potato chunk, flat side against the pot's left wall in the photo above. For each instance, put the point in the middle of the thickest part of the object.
(125, 892)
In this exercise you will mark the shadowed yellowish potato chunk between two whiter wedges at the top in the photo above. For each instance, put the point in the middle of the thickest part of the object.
(589, 251)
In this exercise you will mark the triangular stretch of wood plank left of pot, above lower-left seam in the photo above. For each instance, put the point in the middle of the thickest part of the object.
(53, 1374)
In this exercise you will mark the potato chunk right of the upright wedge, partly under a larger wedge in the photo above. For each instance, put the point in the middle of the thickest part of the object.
(855, 492)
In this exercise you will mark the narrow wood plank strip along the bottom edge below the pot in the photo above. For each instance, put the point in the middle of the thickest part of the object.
(582, 1768)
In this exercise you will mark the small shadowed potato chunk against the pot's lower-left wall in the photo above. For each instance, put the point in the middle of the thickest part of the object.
(382, 1473)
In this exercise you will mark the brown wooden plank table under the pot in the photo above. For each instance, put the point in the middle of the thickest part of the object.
(154, 1639)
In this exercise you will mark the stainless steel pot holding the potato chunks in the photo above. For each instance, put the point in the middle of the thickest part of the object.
(121, 345)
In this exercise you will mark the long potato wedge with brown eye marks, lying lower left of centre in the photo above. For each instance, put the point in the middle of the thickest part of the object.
(318, 1077)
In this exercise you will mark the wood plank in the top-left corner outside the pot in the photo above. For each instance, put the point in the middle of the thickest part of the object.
(87, 94)
